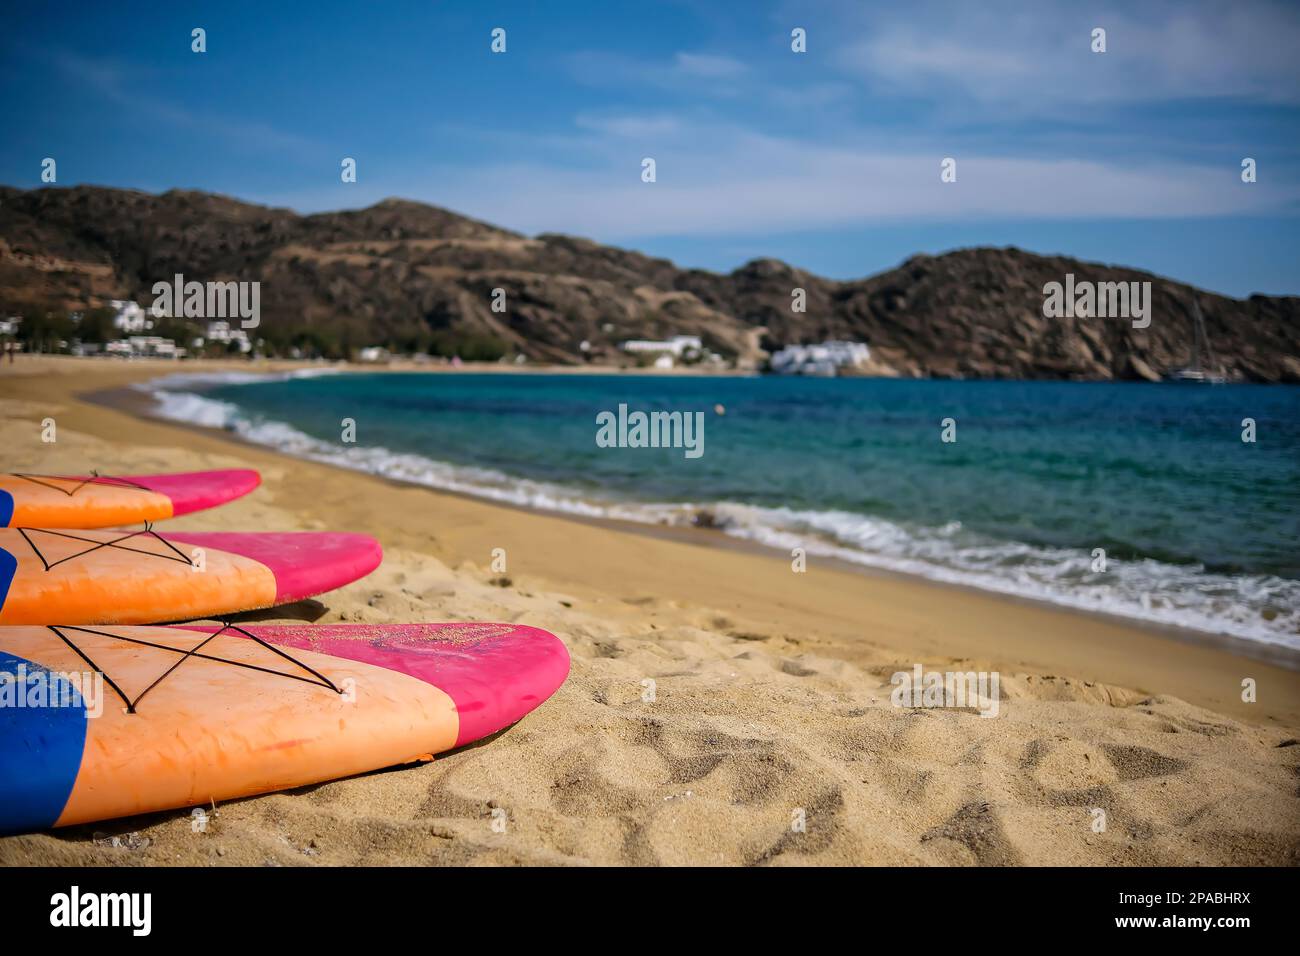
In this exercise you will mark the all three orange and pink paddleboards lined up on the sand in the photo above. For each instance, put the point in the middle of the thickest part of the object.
(110, 708)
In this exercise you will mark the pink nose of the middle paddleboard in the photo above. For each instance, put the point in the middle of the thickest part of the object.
(305, 563)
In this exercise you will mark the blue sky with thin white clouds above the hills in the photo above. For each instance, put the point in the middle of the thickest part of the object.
(827, 159)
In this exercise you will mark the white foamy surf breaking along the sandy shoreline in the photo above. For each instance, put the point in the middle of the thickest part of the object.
(1254, 608)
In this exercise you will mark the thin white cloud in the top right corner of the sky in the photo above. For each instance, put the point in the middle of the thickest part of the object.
(1039, 54)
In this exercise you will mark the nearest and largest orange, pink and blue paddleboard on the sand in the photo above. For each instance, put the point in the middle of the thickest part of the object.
(118, 721)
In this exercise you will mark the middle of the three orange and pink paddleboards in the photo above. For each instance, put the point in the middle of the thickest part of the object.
(50, 576)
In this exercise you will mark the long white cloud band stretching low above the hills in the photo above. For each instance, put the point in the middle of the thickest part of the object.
(720, 181)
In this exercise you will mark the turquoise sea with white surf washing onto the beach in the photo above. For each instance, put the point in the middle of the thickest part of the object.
(1198, 527)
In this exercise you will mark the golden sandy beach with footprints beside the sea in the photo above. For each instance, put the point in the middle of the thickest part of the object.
(772, 695)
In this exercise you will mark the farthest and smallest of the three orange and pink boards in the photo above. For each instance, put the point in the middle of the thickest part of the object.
(103, 501)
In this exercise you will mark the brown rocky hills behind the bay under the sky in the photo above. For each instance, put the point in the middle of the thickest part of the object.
(414, 278)
